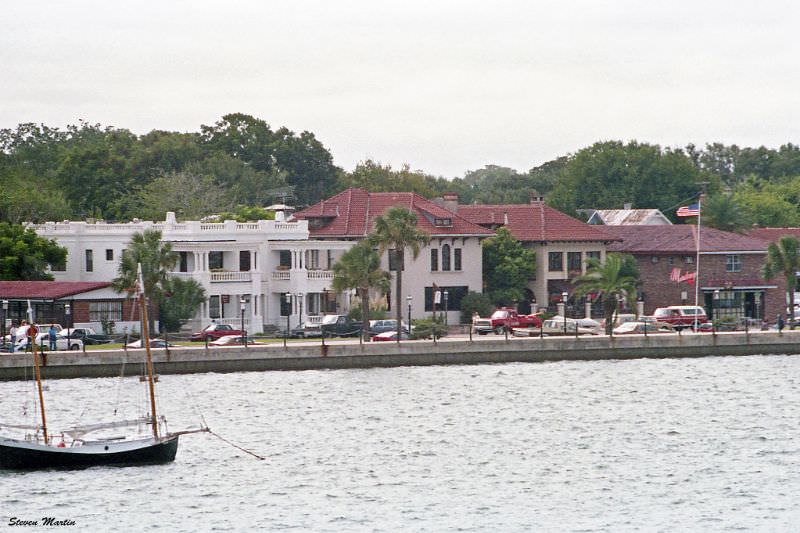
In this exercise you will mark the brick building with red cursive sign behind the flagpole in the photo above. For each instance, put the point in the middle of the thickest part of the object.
(730, 283)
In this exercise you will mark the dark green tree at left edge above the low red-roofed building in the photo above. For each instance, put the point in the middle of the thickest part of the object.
(24, 256)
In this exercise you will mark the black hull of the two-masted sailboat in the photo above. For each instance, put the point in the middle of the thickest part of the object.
(24, 458)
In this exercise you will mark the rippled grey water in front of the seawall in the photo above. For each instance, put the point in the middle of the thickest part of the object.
(648, 445)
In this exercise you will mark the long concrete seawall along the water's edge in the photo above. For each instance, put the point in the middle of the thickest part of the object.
(309, 356)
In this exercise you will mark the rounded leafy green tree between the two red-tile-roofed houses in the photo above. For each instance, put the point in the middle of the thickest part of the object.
(507, 267)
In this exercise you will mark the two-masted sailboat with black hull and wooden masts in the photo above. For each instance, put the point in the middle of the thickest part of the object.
(38, 450)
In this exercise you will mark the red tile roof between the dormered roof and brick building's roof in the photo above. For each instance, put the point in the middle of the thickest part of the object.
(534, 222)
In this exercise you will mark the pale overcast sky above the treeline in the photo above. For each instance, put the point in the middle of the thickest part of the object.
(443, 86)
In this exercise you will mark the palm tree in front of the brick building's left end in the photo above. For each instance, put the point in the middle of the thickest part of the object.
(616, 278)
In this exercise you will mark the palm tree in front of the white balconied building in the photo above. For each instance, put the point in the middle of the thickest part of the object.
(157, 260)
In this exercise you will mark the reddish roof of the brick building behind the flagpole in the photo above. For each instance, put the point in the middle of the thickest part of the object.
(679, 238)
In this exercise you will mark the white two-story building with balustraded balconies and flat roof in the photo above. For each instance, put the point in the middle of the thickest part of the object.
(242, 266)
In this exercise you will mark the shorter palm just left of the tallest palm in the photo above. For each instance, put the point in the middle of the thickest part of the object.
(359, 269)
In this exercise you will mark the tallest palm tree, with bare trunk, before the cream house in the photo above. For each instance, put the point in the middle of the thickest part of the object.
(395, 231)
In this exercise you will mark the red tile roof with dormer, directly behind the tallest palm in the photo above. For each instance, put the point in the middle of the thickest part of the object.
(351, 214)
